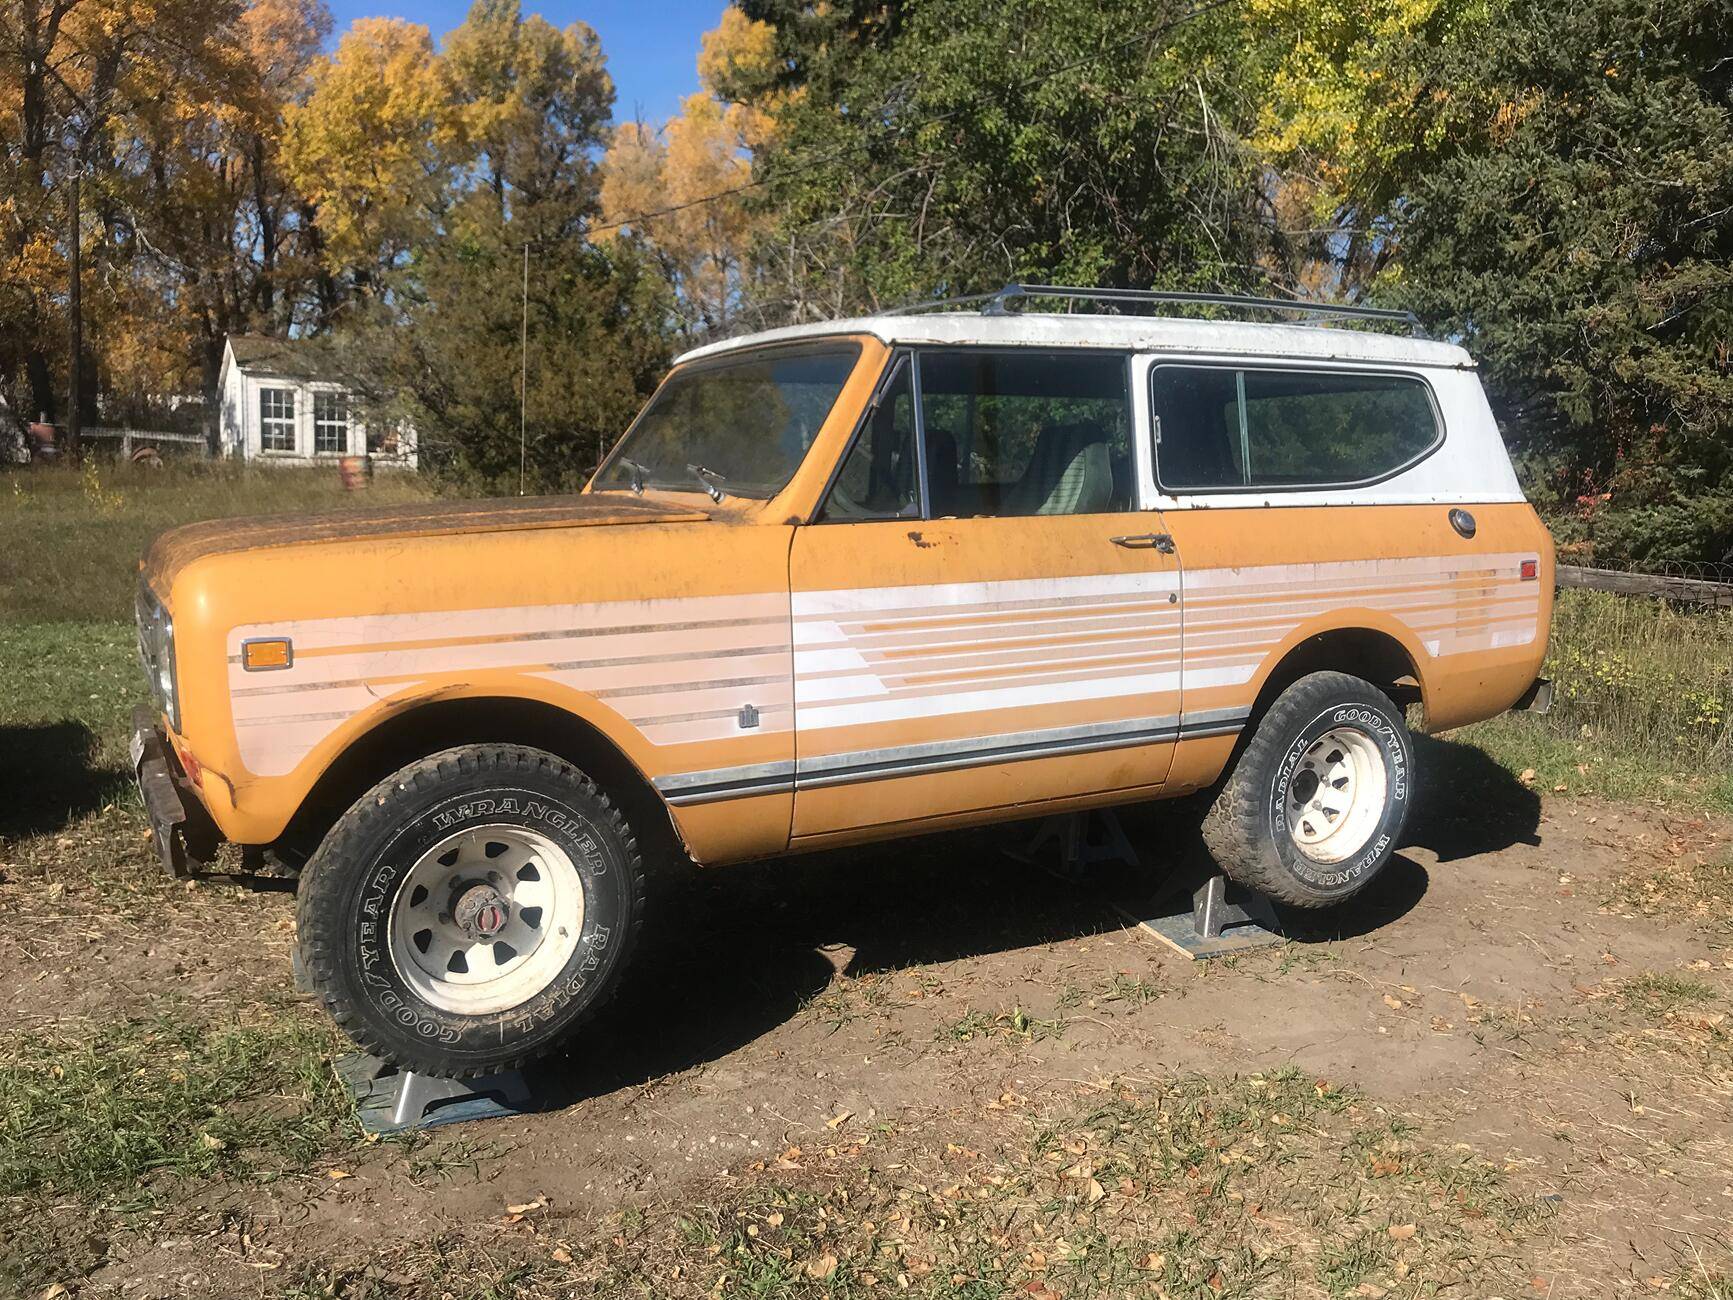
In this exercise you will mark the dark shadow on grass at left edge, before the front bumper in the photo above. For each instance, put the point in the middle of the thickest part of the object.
(49, 777)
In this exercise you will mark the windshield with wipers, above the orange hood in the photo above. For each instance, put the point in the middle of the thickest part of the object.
(739, 427)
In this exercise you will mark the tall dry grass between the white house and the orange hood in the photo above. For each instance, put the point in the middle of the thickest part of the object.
(72, 540)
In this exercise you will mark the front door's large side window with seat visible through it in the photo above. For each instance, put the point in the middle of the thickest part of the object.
(1027, 432)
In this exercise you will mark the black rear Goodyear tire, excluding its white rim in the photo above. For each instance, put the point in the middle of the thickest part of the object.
(1247, 829)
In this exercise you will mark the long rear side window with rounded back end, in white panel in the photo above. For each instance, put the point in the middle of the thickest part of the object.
(1226, 427)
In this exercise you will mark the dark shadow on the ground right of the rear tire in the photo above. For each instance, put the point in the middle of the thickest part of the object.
(1467, 803)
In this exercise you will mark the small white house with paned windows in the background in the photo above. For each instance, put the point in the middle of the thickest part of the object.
(278, 408)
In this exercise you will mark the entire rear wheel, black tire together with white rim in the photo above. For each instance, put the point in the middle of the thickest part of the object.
(1316, 802)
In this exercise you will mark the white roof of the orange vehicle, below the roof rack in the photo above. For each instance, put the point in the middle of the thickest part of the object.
(1134, 334)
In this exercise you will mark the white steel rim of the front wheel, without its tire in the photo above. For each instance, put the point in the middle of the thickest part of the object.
(486, 920)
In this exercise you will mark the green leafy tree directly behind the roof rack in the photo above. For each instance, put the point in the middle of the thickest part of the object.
(964, 143)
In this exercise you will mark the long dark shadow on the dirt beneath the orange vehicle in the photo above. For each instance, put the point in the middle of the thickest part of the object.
(741, 951)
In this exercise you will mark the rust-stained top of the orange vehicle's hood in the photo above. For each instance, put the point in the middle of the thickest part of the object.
(181, 547)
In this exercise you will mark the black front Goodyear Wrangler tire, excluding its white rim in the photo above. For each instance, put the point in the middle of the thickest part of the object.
(349, 887)
